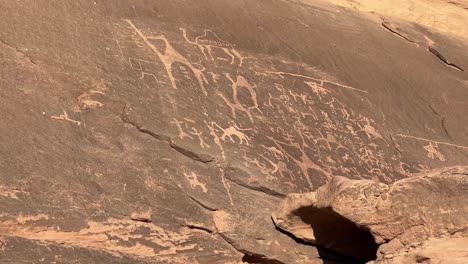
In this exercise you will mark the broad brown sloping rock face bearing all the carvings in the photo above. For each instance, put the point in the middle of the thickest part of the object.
(142, 131)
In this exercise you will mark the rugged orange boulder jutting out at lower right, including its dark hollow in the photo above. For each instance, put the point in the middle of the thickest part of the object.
(355, 217)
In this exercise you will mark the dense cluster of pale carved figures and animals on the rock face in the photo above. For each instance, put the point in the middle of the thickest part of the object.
(307, 131)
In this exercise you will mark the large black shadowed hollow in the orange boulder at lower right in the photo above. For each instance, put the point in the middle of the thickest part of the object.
(339, 234)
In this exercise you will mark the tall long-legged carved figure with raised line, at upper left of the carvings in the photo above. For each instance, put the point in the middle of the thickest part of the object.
(169, 57)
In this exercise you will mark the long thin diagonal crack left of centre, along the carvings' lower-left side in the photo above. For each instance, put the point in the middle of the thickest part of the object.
(163, 138)
